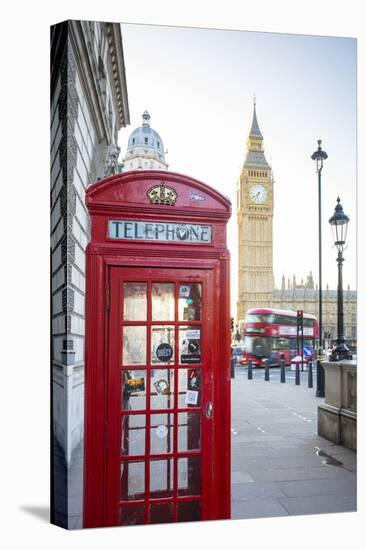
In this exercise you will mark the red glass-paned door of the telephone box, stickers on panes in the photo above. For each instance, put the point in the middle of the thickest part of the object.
(160, 408)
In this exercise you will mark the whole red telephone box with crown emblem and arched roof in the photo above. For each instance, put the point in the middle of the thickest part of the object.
(157, 362)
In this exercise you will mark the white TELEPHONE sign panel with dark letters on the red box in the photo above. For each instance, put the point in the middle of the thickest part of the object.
(159, 231)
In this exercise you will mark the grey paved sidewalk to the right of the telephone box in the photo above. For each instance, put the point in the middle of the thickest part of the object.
(280, 466)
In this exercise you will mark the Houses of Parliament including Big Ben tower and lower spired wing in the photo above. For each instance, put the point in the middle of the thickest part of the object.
(255, 255)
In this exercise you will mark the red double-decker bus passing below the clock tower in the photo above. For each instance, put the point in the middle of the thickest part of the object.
(269, 333)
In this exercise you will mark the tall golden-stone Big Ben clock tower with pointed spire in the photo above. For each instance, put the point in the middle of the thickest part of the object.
(255, 220)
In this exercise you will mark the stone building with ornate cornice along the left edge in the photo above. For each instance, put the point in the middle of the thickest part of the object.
(89, 105)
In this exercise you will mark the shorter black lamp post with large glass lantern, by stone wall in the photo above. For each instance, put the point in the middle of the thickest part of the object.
(339, 224)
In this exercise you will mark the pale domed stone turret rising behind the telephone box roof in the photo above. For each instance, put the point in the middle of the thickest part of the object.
(145, 149)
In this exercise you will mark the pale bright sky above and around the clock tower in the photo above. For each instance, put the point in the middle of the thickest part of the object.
(198, 86)
